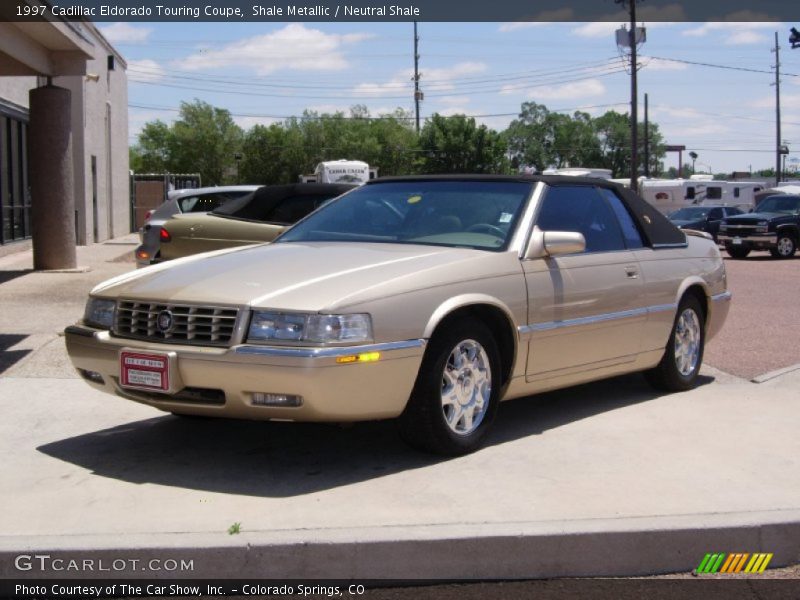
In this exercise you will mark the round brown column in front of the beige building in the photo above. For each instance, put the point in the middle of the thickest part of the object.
(51, 179)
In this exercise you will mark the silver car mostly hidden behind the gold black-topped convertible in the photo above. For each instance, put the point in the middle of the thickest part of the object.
(196, 200)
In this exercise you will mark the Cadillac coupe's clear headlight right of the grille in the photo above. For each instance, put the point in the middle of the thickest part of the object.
(268, 326)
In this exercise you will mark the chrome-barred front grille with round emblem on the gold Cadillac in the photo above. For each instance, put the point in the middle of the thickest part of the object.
(201, 325)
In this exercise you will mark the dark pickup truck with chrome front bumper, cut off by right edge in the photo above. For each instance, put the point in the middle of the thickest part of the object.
(775, 226)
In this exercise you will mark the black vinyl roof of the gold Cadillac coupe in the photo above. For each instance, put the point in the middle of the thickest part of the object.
(657, 229)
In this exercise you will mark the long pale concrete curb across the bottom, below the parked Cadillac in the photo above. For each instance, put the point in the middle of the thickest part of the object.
(598, 547)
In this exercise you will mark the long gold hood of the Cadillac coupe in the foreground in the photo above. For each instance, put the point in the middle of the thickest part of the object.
(315, 276)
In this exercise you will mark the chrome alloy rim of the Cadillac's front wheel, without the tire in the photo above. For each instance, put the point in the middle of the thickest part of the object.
(466, 387)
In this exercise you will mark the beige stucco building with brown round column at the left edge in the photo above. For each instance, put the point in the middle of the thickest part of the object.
(63, 139)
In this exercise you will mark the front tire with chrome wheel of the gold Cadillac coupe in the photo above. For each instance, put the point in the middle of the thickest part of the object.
(456, 395)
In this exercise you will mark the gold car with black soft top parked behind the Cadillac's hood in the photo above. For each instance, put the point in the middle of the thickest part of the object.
(252, 219)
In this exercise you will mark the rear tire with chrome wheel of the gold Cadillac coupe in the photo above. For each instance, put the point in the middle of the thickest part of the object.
(683, 356)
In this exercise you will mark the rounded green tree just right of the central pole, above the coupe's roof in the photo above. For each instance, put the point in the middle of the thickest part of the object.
(458, 145)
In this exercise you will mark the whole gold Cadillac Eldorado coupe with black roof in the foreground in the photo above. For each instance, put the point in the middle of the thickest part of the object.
(426, 299)
